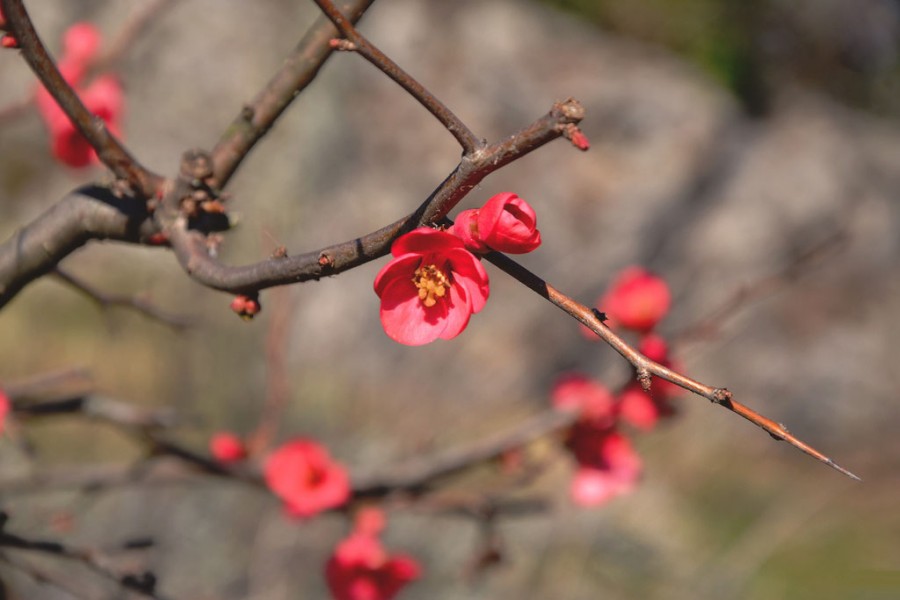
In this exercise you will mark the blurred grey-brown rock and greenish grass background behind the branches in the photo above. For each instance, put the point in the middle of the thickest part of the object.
(742, 150)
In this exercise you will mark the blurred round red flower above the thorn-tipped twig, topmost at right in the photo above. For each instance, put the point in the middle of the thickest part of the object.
(637, 300)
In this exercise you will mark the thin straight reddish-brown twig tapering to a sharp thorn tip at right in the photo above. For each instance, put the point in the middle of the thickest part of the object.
(591, 318)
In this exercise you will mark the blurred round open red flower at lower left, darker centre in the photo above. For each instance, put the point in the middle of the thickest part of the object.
(303, 475)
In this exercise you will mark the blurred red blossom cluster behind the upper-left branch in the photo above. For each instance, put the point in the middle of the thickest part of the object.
(103, 97)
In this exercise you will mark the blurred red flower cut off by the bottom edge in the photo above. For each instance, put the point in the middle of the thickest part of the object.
(361, 569)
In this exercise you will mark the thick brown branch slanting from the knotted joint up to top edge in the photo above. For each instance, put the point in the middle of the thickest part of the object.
(298, 69)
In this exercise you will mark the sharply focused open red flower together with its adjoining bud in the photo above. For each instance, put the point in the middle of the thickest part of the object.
(436, 282)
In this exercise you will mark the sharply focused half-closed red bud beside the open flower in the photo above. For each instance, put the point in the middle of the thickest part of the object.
(505, 223)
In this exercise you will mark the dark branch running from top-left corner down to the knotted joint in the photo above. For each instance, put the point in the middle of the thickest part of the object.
(109, 149)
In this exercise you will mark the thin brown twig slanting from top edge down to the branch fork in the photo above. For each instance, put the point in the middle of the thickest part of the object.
(469, 142)
